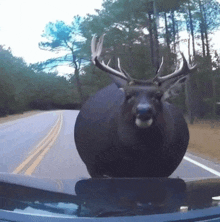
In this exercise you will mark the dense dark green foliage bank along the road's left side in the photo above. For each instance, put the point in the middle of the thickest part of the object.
(21, 87)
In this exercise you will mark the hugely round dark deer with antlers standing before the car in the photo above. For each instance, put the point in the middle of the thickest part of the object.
(128, 129)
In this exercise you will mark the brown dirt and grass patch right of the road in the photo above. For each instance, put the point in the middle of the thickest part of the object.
(205, 140)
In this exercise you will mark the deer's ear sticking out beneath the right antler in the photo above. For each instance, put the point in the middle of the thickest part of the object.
(174, 89)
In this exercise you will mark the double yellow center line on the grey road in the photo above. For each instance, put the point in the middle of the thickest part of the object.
(36, 156)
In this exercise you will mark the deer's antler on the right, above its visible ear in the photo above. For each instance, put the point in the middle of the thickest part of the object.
(184, 70)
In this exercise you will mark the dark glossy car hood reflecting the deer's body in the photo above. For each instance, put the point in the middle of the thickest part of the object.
(108, 197)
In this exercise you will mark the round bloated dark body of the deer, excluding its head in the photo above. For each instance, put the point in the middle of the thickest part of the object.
(108, 146)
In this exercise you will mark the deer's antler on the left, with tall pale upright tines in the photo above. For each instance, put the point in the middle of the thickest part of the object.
(96, 52)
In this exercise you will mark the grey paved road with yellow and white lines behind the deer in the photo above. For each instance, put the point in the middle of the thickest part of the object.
(43, 146)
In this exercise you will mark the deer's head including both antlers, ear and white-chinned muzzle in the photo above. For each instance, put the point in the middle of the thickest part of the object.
(143, 99)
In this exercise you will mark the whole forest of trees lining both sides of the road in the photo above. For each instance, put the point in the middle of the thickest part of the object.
(140, 33)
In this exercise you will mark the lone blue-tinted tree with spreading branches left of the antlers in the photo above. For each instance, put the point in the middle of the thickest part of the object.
(65, 39)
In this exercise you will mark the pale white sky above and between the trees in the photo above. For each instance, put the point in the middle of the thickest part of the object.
(23, 21)
